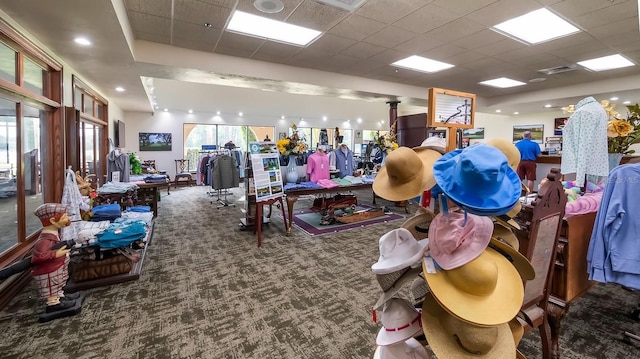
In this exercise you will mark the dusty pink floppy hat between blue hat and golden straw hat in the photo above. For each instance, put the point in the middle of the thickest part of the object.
(453, 242)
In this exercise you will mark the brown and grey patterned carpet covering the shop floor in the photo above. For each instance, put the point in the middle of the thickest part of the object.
(207, 291)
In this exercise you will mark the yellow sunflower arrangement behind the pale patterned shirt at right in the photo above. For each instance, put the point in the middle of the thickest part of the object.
(621, 132)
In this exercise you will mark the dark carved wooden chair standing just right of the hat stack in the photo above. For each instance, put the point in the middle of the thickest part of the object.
(540, 229)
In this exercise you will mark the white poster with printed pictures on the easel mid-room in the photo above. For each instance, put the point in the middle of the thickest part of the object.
(265, 163)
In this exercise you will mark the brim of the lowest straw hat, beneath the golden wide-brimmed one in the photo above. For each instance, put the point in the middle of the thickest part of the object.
(444, 344)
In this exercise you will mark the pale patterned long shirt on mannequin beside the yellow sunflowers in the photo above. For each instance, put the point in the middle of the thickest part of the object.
(584, 141)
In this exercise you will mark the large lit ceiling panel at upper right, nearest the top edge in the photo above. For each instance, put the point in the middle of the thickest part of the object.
(535, 27)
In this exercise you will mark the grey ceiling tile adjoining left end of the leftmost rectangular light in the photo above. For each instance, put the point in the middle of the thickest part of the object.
(196, 12)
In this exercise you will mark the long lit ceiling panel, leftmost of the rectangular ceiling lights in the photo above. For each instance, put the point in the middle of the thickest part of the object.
(262, 27)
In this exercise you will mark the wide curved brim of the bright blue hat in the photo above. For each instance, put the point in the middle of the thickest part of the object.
(497, 203)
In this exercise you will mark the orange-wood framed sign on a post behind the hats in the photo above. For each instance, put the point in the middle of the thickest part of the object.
(451, 109)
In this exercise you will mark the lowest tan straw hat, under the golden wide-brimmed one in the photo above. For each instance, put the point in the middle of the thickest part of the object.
(452, 338)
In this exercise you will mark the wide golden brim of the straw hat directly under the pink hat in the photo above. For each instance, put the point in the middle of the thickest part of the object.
(496, 308)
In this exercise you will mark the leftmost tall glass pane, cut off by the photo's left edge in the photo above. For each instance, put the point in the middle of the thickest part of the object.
(8, 168)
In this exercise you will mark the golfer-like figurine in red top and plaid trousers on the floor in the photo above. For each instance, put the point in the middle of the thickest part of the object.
(50, 261)
